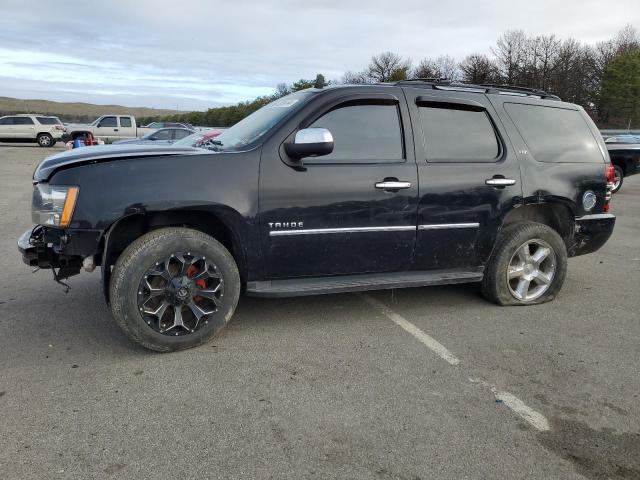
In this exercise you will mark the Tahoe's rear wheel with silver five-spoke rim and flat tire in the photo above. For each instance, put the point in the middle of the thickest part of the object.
(506, 260)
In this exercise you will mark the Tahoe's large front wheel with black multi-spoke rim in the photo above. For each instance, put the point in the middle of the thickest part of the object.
(159, 251)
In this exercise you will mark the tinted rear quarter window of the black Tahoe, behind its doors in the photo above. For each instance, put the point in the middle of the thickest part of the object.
(555, 134)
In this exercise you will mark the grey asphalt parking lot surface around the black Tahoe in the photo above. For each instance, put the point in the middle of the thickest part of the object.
(339, 386)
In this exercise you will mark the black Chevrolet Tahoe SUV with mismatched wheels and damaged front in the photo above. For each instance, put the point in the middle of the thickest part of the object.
(329, 190)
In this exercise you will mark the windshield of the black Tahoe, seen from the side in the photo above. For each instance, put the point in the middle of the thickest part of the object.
(253, 127)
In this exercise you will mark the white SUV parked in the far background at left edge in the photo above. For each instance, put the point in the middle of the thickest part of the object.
(43, 129)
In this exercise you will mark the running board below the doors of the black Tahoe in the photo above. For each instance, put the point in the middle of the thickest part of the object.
(355, 283)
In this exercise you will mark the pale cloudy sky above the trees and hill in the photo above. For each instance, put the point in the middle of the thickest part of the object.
(198, 54)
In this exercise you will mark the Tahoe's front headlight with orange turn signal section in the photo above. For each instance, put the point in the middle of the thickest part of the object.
(53, 204)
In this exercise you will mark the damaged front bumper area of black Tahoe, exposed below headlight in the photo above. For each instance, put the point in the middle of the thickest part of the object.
(55, 249)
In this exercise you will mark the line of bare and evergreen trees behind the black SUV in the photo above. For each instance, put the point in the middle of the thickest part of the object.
(603, 78)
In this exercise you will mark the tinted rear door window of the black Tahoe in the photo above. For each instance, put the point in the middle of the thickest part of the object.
(458, 133)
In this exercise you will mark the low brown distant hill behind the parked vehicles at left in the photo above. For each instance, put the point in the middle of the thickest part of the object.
(75, 112)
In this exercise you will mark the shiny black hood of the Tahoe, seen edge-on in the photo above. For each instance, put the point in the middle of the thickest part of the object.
(105, 153)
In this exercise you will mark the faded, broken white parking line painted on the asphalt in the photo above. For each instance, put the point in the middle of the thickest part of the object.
(535, 419)
